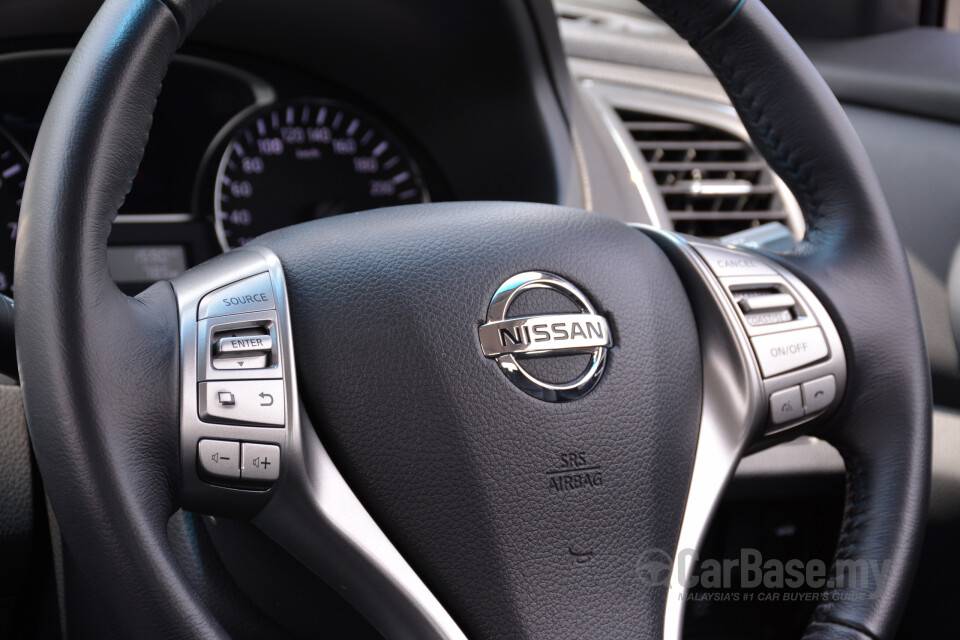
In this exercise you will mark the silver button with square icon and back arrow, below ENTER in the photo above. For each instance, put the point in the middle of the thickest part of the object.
(244, 402)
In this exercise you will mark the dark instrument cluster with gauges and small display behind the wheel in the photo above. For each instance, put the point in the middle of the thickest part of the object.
(233, 153)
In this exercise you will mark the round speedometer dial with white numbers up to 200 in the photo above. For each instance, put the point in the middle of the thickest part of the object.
(308, 159)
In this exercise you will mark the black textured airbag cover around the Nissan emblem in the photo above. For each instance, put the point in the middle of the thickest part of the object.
(453, 460)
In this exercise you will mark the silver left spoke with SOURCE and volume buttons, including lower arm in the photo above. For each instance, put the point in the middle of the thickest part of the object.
(247, 447)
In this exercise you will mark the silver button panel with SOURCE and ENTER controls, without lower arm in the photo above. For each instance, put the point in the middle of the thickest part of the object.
(238, 398)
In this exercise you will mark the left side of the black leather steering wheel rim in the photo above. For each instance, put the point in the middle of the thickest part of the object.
(99, 370)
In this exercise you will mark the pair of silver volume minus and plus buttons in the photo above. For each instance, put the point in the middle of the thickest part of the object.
(232, 460)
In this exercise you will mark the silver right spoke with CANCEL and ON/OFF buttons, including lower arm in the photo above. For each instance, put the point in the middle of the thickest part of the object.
(773, 368)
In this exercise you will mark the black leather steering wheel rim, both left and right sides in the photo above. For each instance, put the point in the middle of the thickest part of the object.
(109, 464)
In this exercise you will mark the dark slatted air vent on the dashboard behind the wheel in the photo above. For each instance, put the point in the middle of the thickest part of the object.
(712, 182)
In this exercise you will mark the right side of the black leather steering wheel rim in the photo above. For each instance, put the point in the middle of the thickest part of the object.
(852, 258)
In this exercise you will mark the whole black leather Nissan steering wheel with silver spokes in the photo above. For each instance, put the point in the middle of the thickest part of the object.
(472, 419)
